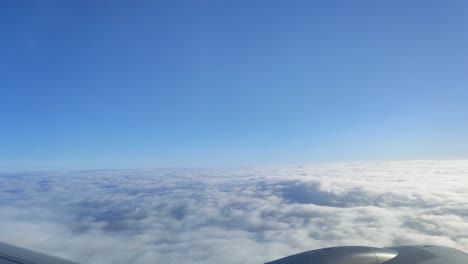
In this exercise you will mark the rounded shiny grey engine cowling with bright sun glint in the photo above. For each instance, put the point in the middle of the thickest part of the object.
(423, 254)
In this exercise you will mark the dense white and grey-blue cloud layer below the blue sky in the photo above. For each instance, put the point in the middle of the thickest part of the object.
(238, 215)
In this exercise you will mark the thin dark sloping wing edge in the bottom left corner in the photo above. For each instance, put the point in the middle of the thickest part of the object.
(15, 255)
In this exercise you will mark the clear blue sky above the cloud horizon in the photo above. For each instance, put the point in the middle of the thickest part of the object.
(128, 84)
